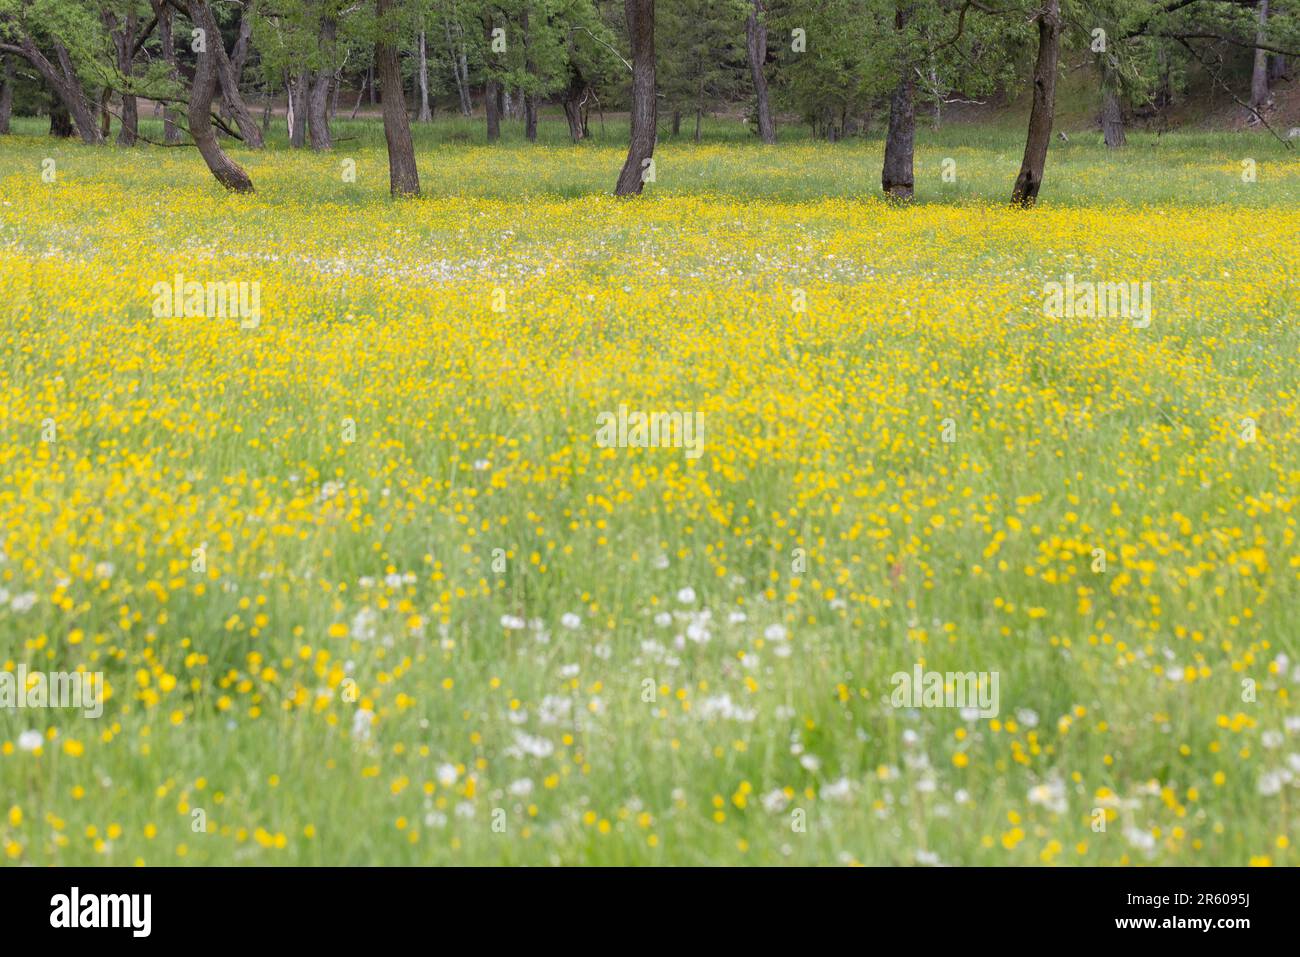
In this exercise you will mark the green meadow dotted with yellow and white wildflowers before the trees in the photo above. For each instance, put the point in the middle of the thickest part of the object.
(365, 587)
